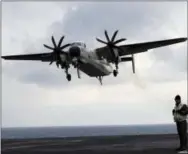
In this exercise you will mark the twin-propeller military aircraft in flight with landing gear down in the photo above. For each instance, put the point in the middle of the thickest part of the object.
(98, 62)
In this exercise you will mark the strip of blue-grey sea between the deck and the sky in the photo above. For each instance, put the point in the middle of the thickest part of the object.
(79, 131)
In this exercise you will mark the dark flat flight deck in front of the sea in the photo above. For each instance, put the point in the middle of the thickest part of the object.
(137, 144)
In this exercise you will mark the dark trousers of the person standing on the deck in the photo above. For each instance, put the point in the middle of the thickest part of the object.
(182, 133)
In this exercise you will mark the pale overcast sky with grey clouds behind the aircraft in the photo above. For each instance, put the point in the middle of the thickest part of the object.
(36, 94)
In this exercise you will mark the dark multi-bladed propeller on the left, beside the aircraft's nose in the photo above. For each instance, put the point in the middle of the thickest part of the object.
(57, 50)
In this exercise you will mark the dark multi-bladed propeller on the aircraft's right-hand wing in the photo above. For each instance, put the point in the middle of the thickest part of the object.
(111, 43)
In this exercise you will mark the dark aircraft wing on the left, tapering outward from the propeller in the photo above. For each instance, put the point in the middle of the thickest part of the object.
(34, 57)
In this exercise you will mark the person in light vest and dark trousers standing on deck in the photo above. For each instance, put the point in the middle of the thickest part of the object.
(180, 113)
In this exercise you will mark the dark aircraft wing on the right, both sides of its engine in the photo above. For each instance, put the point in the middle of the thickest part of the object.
(129, 49)
